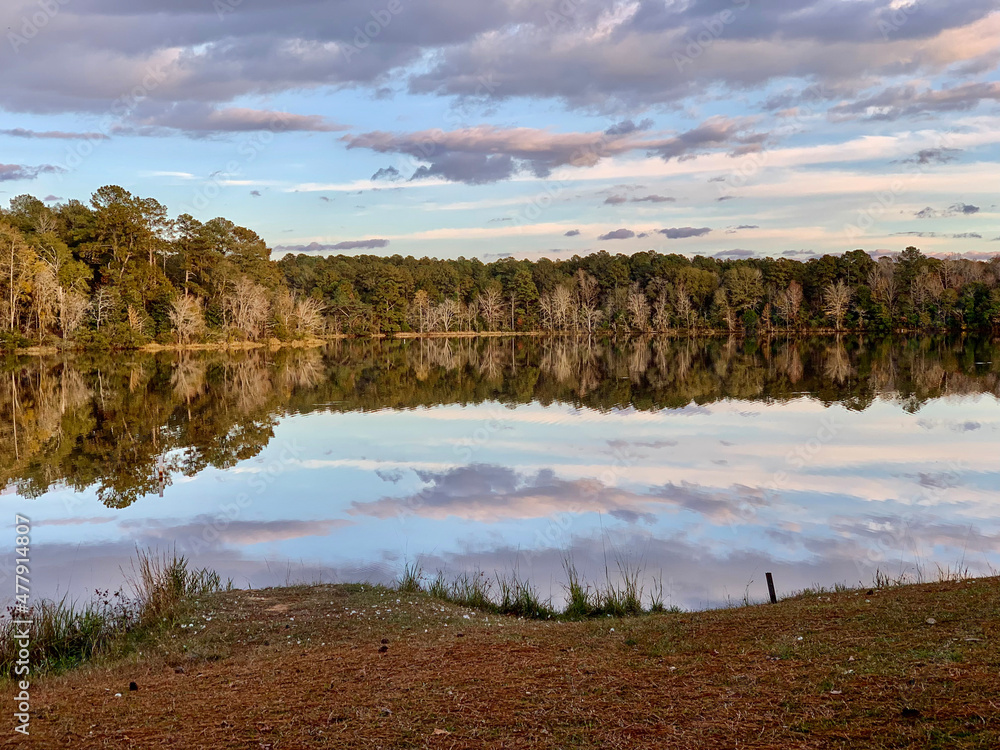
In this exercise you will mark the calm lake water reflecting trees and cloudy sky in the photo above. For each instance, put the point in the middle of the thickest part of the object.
(710, 461)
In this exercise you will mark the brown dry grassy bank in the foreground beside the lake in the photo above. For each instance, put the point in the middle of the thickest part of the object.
(356, 666)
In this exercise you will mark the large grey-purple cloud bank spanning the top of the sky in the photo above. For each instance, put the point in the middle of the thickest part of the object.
(600, 57)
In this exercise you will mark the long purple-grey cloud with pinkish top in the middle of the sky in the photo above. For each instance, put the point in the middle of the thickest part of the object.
(487, 153)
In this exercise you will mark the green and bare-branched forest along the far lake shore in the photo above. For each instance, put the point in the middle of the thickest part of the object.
(119, 272)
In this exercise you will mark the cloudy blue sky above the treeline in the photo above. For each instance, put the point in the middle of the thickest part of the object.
(530, 128)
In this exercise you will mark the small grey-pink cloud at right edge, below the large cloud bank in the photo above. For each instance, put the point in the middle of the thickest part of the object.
(898, 102)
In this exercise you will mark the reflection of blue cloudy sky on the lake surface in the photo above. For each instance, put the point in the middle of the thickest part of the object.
(713, 496)
